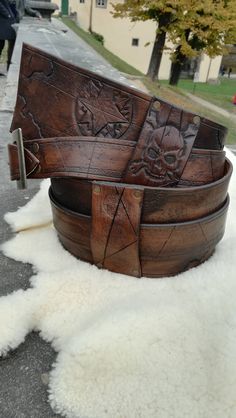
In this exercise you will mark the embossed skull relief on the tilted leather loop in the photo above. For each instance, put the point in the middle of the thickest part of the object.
(162, 154)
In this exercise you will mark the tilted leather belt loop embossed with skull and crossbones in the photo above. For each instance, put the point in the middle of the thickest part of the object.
(164, 146)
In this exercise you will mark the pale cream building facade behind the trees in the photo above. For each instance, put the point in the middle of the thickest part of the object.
(132, 41)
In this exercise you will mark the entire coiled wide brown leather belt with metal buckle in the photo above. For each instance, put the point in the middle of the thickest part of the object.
(138, 185)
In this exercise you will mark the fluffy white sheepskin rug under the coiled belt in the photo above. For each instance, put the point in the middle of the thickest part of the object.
(127, 348)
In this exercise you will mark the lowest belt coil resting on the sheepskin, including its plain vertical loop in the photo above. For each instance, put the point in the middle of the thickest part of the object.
(113, 237)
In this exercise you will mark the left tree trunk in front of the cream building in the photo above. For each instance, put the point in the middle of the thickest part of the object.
(158, 47)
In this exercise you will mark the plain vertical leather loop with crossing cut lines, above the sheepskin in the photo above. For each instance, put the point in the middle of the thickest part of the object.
(116, 212)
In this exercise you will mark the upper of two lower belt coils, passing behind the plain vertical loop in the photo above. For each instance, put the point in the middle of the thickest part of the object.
(159, 204)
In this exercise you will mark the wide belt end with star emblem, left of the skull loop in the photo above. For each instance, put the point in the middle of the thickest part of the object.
(56, 100)
